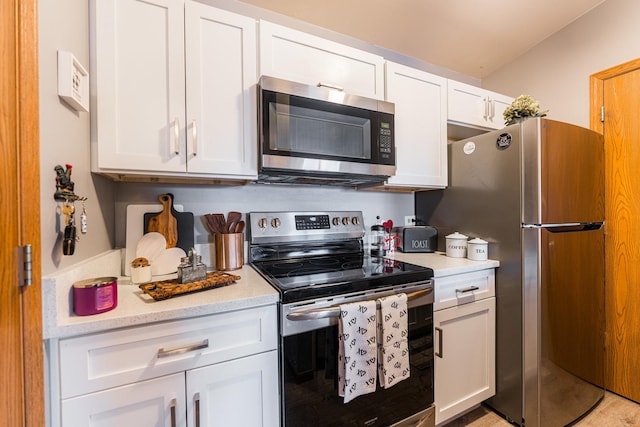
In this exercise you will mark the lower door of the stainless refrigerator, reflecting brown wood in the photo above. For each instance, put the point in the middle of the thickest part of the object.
(563, 323)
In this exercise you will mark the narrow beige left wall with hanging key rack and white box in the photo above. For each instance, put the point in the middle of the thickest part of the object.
(64, 138)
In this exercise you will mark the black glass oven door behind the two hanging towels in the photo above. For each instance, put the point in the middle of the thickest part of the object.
(309, 374)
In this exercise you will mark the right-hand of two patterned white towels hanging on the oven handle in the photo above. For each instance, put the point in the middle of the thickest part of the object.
(393, 344)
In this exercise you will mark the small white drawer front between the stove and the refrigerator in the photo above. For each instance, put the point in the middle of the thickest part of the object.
(464, 288)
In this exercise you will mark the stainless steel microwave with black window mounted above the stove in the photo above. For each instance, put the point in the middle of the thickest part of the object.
(321, 135)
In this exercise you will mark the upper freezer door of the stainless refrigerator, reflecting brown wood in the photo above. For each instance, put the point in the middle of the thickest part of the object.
(563, 173)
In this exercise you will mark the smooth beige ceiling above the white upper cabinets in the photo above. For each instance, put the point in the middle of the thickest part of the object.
(472, 37)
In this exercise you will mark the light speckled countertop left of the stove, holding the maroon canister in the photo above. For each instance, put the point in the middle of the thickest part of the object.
(134, 306)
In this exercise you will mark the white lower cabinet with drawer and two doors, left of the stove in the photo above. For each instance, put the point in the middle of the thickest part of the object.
(218, 369)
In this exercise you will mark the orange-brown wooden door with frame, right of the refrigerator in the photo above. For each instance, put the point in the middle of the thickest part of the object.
(617, 91)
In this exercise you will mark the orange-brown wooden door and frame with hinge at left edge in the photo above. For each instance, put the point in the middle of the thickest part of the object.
(21, 388)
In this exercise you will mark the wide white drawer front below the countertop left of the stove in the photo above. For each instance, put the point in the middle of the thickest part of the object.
(99, 361)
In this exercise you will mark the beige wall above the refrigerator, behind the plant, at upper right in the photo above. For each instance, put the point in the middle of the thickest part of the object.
(556, 72)
